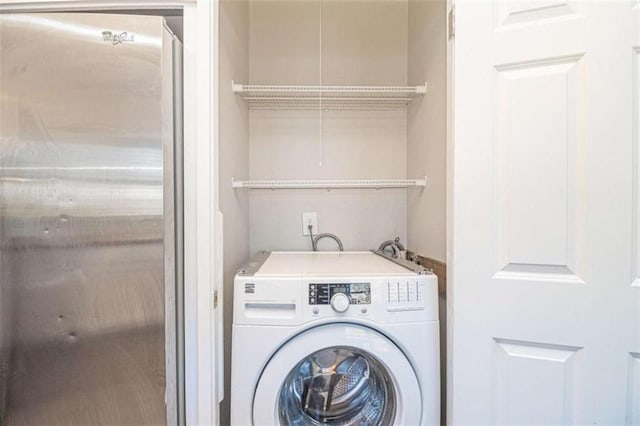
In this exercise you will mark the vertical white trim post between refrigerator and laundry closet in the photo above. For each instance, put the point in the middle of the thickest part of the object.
(200, 204)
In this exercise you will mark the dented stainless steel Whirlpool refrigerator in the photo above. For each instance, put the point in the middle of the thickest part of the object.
(90, 220)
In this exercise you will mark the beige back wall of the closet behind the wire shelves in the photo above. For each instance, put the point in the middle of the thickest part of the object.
(363, 43)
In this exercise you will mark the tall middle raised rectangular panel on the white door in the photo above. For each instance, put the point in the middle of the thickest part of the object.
(538, 169)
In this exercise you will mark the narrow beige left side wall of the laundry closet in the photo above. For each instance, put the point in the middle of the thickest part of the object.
(234, 160)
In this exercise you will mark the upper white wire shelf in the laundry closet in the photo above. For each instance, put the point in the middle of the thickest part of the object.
(274, 97)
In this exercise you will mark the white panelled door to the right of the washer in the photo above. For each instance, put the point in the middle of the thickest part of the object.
(545, 236)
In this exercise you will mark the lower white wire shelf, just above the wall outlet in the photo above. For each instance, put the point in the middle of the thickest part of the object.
(329, 184)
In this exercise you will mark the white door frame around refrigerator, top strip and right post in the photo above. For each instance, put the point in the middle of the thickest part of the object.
(201, 227)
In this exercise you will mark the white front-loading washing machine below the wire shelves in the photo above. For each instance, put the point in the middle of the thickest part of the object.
(344, 338)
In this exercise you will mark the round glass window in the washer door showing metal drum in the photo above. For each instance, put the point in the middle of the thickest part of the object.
(338, 386)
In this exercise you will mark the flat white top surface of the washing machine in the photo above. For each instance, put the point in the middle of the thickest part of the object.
(340, 263)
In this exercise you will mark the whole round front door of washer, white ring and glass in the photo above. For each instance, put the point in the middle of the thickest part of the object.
(342, 374)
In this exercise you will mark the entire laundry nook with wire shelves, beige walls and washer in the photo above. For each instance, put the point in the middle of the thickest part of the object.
(333, 118)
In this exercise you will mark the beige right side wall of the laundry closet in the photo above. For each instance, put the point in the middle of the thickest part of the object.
(427, 132)
